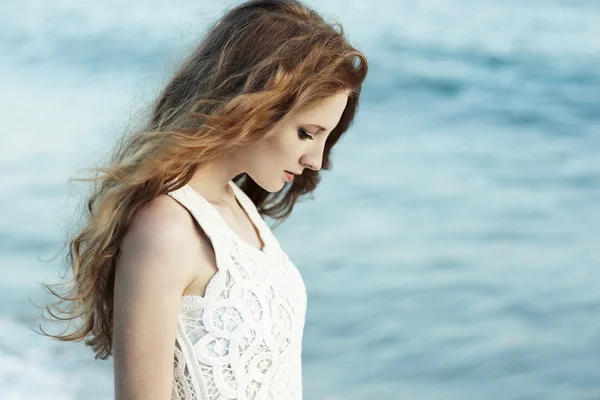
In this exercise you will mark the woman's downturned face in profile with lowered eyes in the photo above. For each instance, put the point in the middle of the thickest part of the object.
(296, 145)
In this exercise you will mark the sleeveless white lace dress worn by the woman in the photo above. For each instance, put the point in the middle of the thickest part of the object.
(243, 338)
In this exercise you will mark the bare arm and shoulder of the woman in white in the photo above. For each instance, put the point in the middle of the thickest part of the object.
(159, 257)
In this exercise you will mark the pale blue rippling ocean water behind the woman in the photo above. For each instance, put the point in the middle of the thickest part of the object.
(451, 253)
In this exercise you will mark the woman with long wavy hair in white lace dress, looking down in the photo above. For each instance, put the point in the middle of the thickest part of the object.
(175, 273)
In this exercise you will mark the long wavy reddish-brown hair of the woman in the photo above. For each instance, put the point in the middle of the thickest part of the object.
(258, 64)
